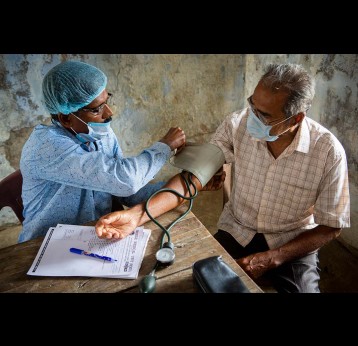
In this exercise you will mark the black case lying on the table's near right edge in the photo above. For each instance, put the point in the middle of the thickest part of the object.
(213, 275)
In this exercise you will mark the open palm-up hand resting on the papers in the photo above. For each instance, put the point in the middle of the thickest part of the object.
(117, 225)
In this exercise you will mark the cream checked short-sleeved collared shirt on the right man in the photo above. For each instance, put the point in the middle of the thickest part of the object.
(306, 186)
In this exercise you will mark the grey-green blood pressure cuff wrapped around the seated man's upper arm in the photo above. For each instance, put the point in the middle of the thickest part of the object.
(203, 160)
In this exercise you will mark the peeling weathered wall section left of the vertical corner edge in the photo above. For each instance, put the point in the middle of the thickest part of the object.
(152, 94)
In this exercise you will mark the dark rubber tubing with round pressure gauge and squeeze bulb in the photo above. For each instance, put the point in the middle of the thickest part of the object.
(165, 255)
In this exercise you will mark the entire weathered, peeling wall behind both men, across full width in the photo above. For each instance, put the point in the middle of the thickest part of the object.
(155, 92)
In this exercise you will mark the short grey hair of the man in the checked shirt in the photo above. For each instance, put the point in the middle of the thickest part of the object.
(293, 79)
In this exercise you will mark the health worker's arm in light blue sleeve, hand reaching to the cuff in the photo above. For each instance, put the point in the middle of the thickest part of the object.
(60, 159)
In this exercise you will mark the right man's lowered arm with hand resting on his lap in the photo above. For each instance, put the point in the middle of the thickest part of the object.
(257, 264)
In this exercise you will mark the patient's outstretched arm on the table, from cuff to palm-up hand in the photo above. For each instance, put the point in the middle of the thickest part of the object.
(119, 224)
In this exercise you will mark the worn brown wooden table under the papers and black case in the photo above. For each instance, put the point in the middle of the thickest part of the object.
(192, 242)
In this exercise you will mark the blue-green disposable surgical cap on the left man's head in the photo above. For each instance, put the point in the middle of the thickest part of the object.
(71, 85)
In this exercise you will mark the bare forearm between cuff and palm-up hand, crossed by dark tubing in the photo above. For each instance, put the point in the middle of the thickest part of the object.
(165, 201)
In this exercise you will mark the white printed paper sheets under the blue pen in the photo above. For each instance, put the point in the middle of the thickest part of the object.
(55, 259)
